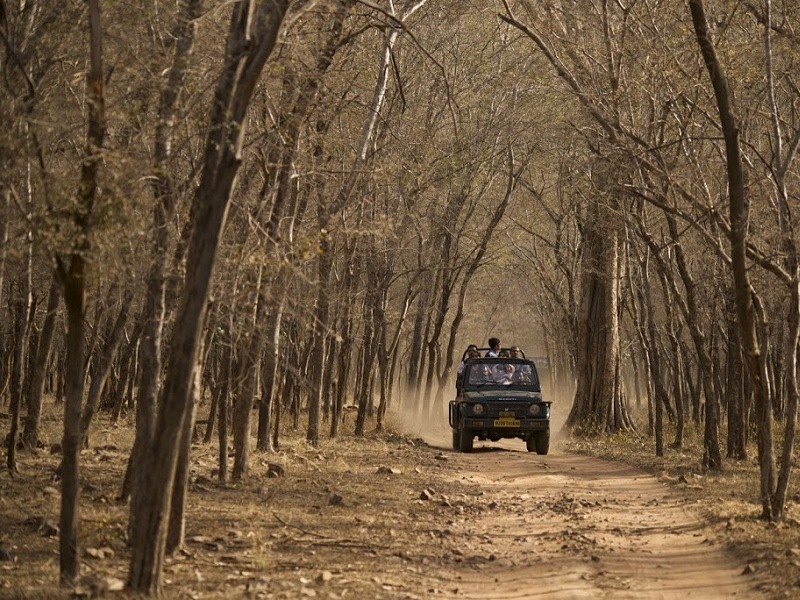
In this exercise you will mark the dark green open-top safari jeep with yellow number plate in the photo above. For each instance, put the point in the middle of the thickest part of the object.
(500, 398)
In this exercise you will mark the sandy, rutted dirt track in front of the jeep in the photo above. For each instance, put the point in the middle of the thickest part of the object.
(564, 526)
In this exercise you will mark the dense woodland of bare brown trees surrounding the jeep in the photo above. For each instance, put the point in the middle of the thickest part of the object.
(258, 212)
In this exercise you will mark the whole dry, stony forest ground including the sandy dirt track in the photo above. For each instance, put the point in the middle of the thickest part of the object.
(401, 515)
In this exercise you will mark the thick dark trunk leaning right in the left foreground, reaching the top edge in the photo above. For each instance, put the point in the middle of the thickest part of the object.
(253, 33)
